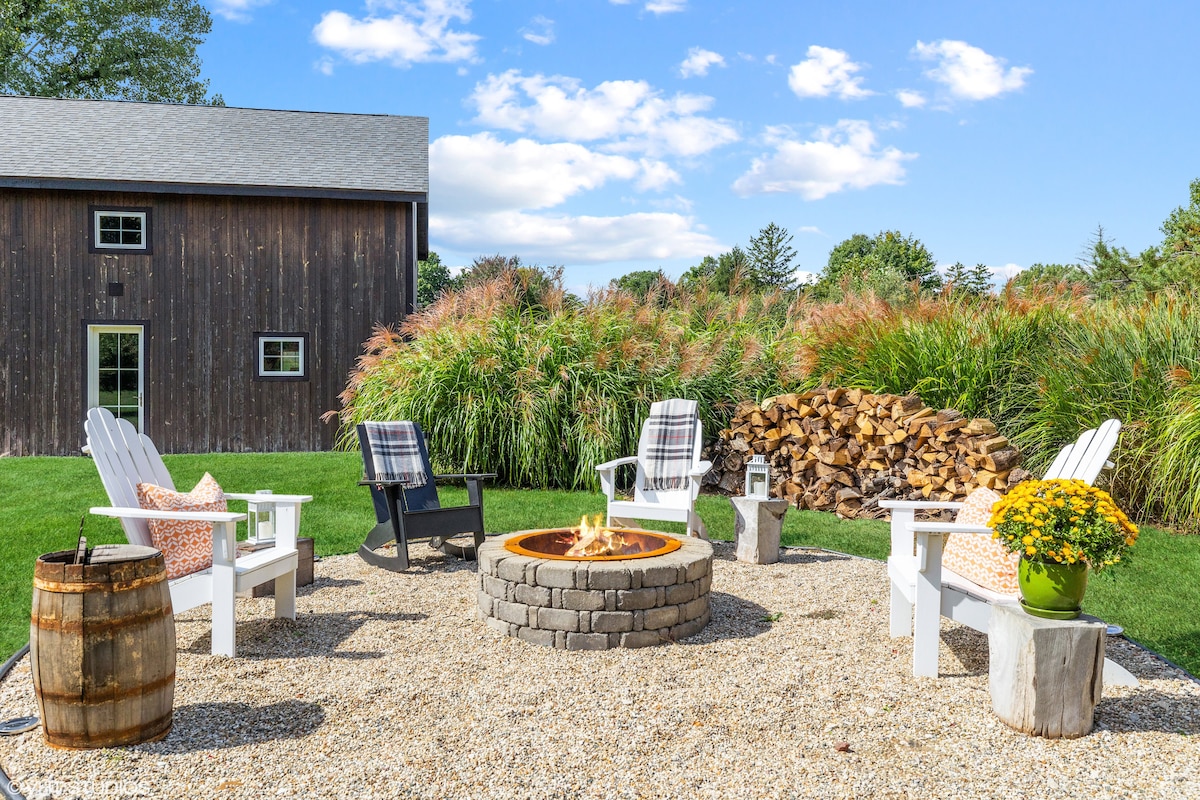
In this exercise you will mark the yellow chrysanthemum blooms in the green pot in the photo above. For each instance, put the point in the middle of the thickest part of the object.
(1063, 521)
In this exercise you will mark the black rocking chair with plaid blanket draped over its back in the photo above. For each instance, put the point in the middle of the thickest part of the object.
(413, 514)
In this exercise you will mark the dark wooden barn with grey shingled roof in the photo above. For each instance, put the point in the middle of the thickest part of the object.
(209, 274)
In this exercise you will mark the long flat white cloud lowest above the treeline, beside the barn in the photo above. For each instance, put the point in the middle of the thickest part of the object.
(575, 239)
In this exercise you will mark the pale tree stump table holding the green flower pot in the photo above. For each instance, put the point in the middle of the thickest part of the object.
(1046, 676)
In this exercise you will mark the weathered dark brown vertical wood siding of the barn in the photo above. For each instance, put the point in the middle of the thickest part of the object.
(223, 268)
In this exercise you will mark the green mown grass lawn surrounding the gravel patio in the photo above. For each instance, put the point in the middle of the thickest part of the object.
(1156, 598)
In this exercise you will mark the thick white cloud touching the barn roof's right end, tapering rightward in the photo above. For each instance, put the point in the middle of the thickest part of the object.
(479, 173)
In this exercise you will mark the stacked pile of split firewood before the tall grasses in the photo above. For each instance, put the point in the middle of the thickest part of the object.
(845, 450)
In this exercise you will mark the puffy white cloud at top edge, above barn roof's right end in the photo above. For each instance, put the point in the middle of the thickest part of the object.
(416, 33)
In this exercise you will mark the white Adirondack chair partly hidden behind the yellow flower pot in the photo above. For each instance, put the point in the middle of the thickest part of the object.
(923, 591)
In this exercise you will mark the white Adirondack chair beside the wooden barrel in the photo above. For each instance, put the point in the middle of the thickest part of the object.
(125, 459)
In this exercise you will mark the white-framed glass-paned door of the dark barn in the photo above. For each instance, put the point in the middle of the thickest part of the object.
(116, 375)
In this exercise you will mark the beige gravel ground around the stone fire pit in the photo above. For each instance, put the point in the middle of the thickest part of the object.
(388, 687)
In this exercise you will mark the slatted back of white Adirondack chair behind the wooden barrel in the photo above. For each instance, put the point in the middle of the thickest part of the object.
(125, 459)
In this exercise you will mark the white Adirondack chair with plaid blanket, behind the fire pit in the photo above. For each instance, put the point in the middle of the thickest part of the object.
(679, 506)
